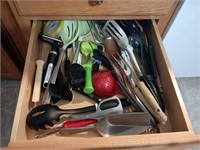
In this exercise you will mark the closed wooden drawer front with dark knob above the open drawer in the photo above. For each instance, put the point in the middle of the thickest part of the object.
(140, 9)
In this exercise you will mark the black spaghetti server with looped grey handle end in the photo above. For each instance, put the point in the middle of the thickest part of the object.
(44, 115)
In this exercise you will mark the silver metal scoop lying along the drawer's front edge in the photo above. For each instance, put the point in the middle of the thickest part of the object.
(115, 125)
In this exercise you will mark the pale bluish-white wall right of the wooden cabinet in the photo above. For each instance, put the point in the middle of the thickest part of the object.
(182, 41)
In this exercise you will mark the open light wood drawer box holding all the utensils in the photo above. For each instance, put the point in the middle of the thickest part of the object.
(177, 130)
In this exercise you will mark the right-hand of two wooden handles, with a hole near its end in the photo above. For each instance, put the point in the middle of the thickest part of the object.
(159, 114)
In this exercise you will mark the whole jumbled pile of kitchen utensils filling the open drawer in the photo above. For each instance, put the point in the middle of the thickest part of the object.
(115, 69)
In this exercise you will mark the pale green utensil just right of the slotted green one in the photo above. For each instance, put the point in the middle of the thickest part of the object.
(84, 30)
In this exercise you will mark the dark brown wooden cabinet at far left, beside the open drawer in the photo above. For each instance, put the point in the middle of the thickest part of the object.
(15, 42)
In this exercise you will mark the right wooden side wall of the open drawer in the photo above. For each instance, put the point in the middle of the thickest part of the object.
(175, 106)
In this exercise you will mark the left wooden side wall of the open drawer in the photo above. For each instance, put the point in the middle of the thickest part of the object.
(22, 109)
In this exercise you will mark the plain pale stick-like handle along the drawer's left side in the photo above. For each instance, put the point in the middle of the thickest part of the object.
(38, 81)
